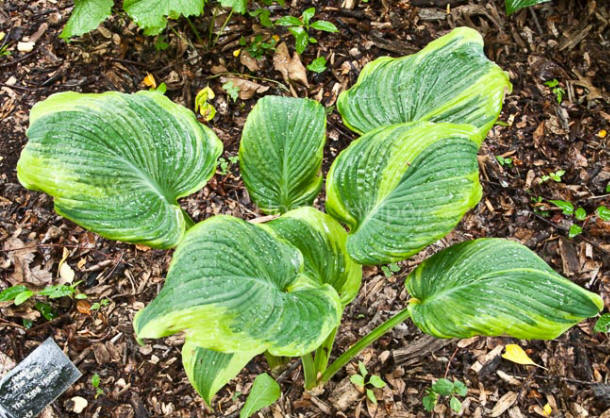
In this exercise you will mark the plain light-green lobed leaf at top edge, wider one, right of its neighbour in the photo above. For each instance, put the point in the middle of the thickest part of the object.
(151, 15)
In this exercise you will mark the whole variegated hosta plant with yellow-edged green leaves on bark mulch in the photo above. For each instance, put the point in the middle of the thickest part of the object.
(237, 289)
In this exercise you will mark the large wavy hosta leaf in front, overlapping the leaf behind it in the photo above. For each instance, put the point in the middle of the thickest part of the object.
(233, 286)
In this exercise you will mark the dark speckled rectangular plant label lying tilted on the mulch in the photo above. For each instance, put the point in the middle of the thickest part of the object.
(36, 382)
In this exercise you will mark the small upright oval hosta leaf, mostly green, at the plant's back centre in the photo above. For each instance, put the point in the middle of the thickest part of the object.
(280, 154)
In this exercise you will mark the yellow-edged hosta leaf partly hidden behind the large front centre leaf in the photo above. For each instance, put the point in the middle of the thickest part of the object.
(321, 240)
